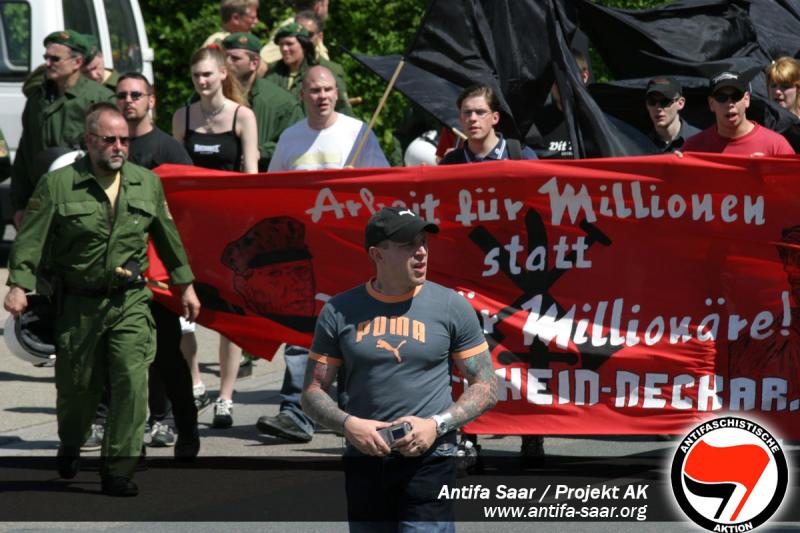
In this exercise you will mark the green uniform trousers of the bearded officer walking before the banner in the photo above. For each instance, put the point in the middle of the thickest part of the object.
(105, 339)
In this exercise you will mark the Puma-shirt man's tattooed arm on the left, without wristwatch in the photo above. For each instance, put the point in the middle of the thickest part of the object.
(318, 404)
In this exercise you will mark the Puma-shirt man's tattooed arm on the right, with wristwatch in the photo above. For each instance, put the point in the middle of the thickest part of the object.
(479, 397)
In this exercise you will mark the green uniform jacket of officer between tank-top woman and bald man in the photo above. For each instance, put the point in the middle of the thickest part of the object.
(276, 109)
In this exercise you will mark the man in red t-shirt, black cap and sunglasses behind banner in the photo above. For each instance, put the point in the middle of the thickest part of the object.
(733, 133)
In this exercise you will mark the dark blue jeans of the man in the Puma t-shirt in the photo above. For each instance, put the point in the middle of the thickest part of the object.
(398, 493)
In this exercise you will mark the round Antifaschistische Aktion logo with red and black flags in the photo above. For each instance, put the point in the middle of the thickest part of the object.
(729, 474)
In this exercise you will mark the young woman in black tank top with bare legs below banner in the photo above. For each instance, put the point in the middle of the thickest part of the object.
(219, 132)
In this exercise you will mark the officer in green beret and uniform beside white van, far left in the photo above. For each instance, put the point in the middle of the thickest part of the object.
(54, 113)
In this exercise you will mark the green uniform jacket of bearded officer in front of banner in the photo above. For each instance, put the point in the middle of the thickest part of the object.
(69, 230)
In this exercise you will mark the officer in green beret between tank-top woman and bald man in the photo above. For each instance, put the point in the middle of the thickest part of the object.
(276, 109)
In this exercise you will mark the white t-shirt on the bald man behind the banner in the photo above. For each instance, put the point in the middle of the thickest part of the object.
(302, 148)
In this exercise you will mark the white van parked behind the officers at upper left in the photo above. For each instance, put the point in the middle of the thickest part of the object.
(117, 24)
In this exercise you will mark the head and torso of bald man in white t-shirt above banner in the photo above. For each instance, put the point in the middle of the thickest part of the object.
(325, 139)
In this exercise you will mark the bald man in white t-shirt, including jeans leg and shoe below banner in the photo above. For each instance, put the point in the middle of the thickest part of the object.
(325, 139)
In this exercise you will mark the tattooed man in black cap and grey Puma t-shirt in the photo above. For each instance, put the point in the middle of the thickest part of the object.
(397, 336)
